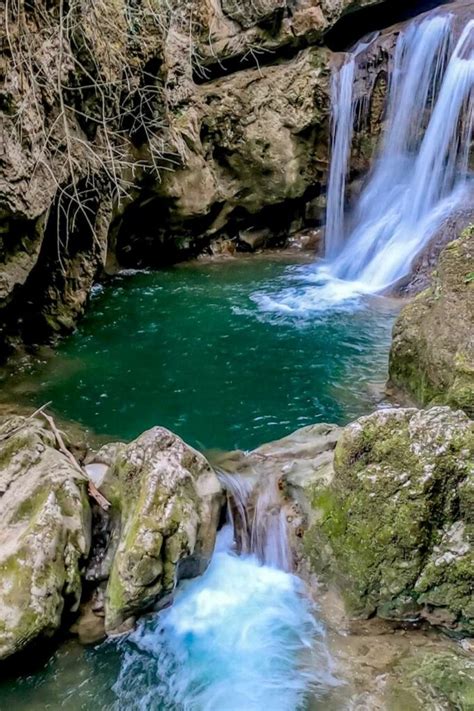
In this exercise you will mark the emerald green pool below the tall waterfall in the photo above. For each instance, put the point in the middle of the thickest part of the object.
(208, 351)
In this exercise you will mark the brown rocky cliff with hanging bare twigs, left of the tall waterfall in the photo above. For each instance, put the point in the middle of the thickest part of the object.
(139, 132)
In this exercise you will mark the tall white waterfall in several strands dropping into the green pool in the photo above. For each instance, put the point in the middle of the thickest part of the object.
(420, 175)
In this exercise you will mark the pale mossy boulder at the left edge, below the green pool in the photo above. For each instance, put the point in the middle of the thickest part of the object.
(44, 533)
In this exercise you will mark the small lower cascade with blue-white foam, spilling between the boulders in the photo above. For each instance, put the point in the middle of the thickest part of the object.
(243, 637)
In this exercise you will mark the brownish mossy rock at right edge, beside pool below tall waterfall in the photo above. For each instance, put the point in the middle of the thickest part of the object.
(432, 354)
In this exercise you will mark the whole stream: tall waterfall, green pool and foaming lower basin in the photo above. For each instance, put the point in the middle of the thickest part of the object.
(235, 353)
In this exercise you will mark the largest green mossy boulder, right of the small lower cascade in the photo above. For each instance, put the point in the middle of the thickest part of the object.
(395, 526)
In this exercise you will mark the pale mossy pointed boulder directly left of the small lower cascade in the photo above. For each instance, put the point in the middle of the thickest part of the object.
(166, 502)
